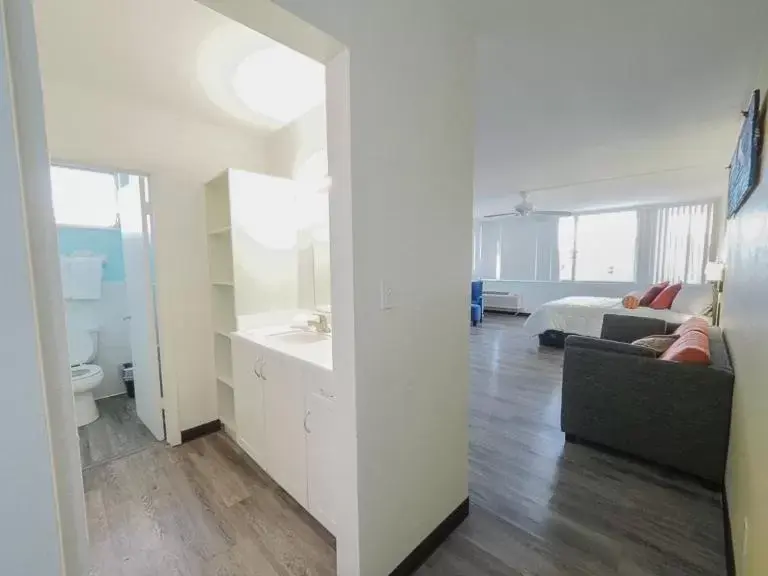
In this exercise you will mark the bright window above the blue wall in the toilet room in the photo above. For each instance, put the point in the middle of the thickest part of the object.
(84, 198)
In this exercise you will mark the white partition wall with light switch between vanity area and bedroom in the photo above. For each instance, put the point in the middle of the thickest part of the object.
(410, 138)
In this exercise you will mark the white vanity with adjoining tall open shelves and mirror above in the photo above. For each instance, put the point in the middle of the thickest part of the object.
(268, 262)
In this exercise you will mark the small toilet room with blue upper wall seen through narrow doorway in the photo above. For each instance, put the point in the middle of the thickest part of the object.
(99, 295)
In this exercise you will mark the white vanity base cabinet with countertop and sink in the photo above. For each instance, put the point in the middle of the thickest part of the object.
(284, 411)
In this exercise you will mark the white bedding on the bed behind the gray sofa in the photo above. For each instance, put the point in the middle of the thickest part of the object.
(584, 315)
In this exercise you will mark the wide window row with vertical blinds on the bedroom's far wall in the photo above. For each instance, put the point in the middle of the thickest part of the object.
(647, 244)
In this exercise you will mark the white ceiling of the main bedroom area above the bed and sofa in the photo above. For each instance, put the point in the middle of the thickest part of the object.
(568, 93)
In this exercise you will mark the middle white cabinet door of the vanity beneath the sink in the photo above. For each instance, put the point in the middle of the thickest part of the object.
(284, 417)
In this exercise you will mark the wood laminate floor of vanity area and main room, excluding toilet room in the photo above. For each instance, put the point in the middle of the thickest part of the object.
(537, 508)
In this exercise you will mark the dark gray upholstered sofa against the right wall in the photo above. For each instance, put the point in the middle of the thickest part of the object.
(621, 396)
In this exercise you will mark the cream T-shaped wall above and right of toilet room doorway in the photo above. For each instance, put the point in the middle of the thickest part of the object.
(180, 154)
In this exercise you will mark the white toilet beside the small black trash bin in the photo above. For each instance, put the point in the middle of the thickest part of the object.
(85, 377)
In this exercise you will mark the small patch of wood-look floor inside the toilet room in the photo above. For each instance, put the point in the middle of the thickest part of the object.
(118, 432)
